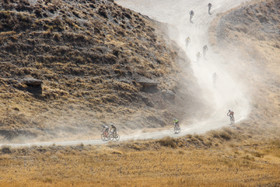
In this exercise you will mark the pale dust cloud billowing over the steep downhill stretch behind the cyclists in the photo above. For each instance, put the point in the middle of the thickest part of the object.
(216, 74)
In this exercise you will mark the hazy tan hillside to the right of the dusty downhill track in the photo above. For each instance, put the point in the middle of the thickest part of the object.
(254, 31)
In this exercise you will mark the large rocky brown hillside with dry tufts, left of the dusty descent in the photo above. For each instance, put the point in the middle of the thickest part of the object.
(70, 66)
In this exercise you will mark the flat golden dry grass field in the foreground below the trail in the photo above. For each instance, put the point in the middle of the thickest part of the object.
(155, 165)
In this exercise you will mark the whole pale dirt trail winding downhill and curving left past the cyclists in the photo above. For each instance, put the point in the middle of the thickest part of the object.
(227, 93)
